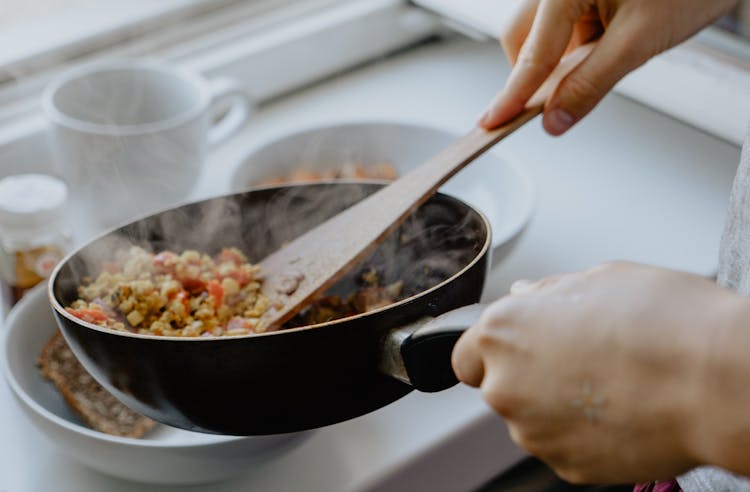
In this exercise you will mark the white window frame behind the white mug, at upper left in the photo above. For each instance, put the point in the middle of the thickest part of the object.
(249, 42)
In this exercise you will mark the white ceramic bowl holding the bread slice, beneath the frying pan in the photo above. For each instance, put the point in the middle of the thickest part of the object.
(165, 456)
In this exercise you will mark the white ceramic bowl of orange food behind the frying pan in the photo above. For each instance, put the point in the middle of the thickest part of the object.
(494, 184)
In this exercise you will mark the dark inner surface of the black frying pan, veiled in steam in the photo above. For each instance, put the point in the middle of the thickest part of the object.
(432, 245)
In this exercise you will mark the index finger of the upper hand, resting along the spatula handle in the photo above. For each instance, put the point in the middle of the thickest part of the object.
(550, 33)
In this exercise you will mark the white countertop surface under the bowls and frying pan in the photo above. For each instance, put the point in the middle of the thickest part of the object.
(627, 183)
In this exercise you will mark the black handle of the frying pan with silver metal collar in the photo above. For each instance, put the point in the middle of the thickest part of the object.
(419, 354)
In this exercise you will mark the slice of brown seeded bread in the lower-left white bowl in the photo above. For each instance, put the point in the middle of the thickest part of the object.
(94, 404)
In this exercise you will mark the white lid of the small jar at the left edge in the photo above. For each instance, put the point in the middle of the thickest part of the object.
(31, 200)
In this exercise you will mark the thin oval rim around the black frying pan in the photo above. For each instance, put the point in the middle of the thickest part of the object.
(60, 310)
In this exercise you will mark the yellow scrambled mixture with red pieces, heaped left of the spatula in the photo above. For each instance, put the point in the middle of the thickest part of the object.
(185, 295)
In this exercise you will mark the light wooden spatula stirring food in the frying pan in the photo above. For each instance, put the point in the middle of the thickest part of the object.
(313, 262)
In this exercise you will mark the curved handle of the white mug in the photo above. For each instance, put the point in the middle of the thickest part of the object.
(227, 95)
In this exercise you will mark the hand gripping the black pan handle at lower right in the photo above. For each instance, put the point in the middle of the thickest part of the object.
(601, 373)
